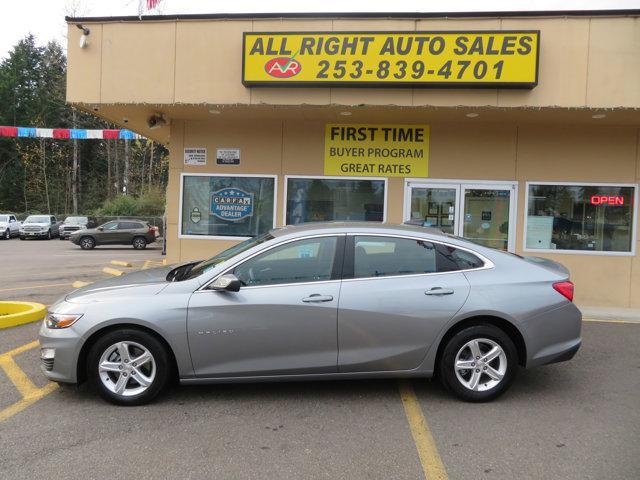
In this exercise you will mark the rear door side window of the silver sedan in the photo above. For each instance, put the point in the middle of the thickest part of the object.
(388, 256)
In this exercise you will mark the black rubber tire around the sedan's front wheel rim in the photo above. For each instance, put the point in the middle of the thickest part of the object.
(161, 357)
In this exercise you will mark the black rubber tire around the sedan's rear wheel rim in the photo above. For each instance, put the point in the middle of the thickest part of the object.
(447, 369)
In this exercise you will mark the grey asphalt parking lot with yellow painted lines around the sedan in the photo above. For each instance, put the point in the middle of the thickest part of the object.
(575, 420)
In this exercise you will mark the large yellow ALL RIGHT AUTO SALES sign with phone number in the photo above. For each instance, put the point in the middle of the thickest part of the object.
(394, 59)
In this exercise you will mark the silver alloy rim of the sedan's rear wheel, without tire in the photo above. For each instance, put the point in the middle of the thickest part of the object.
(480, 364)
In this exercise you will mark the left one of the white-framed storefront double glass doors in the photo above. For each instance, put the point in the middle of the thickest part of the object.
(433, 206)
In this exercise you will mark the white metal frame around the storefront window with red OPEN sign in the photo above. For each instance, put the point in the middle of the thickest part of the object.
(634, 216)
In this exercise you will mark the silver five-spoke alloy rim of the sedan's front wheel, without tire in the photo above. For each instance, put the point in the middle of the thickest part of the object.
(127, 368)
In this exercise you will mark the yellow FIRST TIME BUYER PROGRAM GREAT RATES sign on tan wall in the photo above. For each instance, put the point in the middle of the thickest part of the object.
(376, 150)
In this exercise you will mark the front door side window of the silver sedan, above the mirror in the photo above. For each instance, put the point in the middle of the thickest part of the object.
(309, 260)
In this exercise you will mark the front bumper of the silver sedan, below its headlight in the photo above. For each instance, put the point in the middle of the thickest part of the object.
(66, 346)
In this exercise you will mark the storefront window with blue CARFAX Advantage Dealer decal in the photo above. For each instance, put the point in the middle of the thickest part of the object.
(228, 206)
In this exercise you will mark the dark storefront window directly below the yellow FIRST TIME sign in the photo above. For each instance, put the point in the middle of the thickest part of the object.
(325, 199)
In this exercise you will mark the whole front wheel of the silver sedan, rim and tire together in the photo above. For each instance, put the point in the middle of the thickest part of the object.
(128, 367)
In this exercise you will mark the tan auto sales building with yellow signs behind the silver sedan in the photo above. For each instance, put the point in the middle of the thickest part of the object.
(518, 131)
